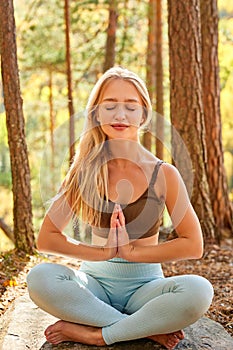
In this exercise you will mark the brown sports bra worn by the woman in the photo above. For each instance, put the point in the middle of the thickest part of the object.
(143, 216)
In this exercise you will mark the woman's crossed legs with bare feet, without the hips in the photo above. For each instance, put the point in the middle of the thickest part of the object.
(157, 310)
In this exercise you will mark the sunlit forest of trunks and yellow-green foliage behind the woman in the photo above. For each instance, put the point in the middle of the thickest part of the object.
(183, 50)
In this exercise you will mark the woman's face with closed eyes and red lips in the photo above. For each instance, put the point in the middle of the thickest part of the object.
(120, 110)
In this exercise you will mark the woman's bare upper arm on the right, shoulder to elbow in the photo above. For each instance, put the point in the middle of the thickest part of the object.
(183, 216)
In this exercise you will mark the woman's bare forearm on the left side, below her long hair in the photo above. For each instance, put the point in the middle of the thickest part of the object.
(59, 244)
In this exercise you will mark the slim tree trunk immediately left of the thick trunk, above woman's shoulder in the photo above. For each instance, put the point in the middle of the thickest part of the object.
(159, 81)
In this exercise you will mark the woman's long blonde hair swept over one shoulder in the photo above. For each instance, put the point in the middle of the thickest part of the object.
(86, 183)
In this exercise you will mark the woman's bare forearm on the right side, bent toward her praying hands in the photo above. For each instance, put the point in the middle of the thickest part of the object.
(178, 249)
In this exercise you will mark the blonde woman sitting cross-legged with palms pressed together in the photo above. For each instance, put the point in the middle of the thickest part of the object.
(121, 190)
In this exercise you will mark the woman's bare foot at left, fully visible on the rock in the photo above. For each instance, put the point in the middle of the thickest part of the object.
(67, 331)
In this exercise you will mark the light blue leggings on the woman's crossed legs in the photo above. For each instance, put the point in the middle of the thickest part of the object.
(127, 300)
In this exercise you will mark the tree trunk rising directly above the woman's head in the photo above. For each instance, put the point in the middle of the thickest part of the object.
(111, 36)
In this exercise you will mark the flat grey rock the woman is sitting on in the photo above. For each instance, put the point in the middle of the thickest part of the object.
(22, 327)
